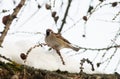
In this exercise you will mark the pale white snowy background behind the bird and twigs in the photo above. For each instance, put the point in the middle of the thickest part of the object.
(28, 29)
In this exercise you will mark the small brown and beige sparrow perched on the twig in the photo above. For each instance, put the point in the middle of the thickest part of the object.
(57, 42)
